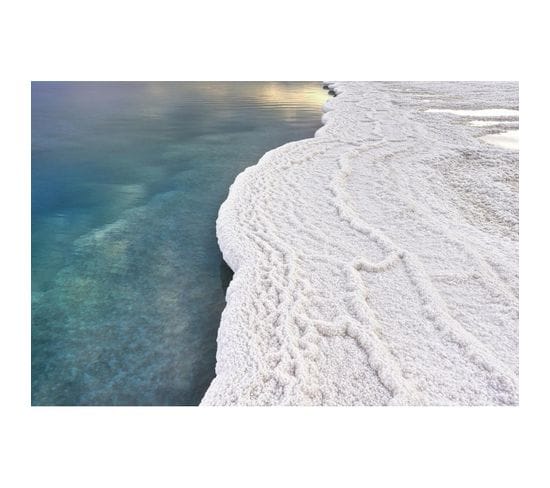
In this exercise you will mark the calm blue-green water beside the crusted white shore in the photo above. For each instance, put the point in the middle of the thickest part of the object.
(128, 282)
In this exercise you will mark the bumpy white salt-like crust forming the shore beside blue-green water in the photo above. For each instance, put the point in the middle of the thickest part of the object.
(377, 263)
